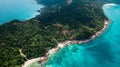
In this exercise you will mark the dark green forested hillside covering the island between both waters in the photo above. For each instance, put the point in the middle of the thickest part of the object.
(58, 21)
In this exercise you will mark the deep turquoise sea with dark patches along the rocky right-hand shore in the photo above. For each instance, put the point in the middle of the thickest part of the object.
(103, 51)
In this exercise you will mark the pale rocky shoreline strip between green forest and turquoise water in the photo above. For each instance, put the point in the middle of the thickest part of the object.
(60, 45)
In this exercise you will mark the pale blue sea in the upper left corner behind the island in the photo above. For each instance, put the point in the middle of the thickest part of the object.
(18, 9)
